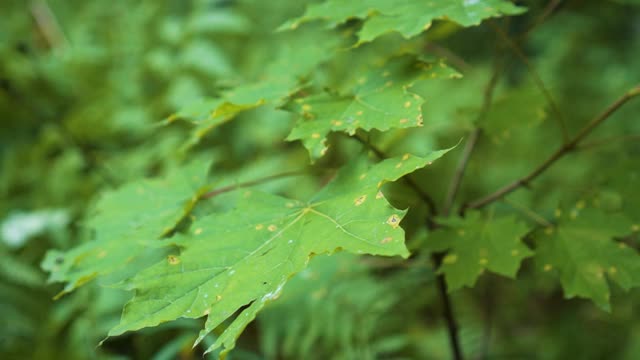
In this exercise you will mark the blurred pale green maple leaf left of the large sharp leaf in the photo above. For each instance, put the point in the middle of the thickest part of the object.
(127, 223)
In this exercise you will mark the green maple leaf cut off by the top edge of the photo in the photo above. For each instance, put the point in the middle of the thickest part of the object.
(407, 17)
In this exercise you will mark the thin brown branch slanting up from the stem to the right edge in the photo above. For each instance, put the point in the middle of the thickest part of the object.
(558, 154)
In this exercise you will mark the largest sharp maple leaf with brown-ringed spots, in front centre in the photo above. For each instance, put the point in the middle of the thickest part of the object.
(253, 250)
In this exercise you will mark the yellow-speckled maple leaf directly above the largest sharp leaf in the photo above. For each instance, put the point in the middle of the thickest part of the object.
(377, 98)
